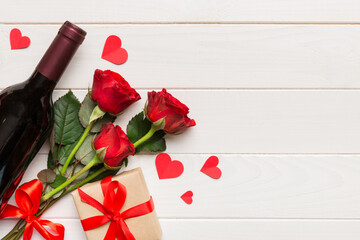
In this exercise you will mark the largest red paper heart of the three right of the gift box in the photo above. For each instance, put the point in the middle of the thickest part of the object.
(167, 168)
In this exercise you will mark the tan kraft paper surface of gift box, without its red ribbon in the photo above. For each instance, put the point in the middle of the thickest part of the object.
(146, 227)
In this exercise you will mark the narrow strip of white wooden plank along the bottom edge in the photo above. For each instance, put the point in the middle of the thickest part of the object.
(179, 229)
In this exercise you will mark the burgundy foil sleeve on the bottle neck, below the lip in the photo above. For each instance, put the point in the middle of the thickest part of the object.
(57, 57)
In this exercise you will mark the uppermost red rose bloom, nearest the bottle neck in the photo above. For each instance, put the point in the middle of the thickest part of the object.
(112, 92)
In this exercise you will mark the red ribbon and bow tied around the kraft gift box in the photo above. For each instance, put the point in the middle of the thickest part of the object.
(111, 206)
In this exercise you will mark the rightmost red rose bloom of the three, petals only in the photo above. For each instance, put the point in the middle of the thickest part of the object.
(164, 105)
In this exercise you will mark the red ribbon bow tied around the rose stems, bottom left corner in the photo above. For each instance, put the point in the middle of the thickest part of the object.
(28, 198)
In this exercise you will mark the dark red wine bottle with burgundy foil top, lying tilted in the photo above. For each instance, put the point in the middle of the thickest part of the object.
(26, 110)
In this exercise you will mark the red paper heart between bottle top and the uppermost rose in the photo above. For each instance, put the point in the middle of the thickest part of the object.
(113, 52)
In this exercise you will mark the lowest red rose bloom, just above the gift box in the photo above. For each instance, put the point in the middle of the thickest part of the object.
(117, 145)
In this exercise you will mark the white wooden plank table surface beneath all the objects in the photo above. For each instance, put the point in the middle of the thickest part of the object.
(274, 86)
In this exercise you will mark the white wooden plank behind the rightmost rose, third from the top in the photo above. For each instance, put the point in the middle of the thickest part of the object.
(263, 121)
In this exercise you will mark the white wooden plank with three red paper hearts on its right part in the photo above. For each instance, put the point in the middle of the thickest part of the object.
(252, 186)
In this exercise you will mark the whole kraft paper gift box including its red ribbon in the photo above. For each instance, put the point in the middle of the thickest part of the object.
(143, 227)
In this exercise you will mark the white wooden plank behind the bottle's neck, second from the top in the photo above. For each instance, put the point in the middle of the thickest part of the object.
(202, 56)
